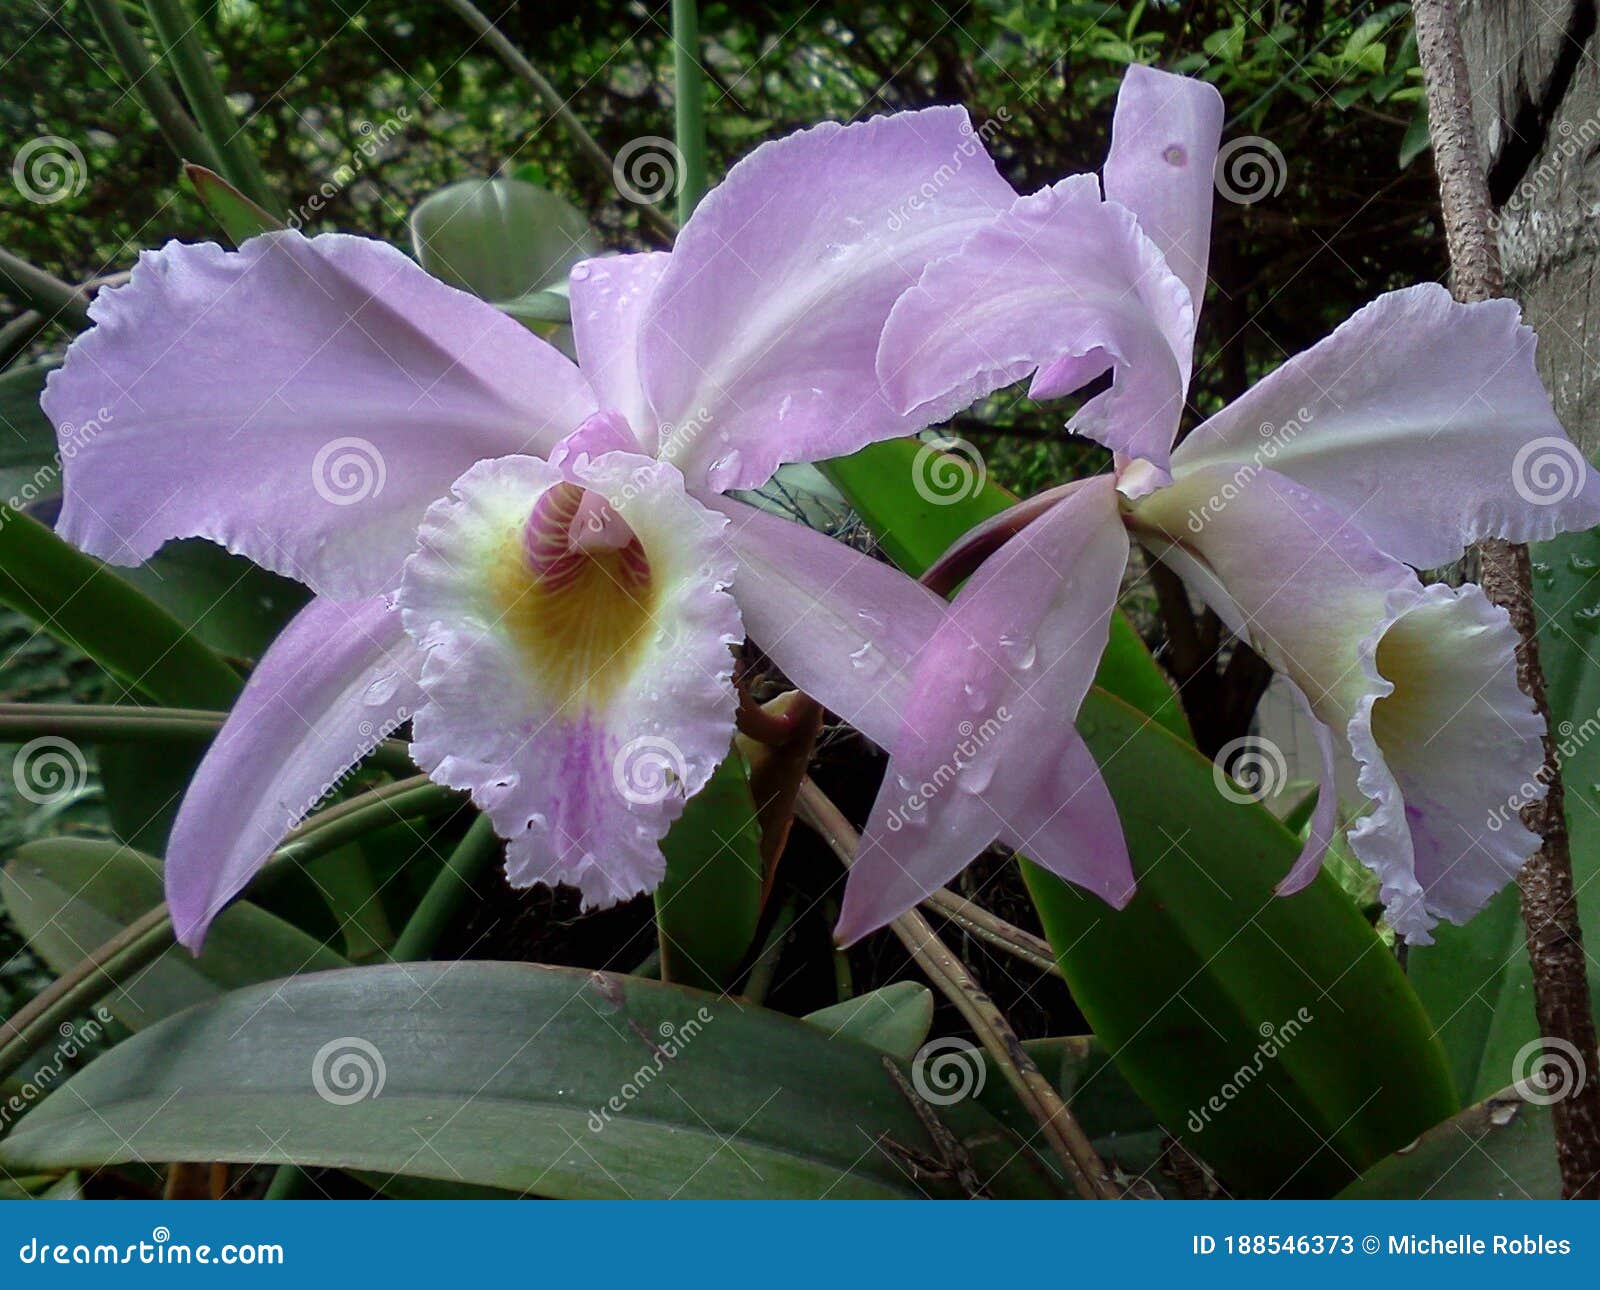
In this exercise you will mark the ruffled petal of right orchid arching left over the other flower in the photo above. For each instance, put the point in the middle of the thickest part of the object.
(1063, 284)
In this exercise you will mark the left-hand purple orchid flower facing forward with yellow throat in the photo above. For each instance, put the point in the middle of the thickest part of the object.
(532, 561)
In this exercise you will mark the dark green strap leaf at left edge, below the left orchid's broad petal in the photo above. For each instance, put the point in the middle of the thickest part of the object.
(84, 604)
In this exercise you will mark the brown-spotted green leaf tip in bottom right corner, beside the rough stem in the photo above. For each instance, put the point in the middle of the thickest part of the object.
(1500, 1150)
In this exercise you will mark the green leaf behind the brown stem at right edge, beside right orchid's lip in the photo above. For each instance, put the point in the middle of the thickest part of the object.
(1476, 980)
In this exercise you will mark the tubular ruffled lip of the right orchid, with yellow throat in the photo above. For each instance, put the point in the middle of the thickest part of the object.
(1422, 681)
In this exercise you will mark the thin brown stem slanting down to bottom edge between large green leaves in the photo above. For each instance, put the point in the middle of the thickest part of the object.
(951, 977)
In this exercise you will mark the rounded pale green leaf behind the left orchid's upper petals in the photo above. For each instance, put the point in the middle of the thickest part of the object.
(500, 239)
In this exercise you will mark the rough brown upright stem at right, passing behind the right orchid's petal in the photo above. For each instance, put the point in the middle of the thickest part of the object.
(1550, 907)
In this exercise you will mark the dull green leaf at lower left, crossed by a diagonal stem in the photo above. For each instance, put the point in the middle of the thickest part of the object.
(68, 897)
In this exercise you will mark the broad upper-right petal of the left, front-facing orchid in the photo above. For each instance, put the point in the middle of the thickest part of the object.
(758, 343)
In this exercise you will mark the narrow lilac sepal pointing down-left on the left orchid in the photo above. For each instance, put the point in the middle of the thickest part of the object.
(338, 681)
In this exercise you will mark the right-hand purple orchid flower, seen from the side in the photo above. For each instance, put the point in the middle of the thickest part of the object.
(1300, 515)
